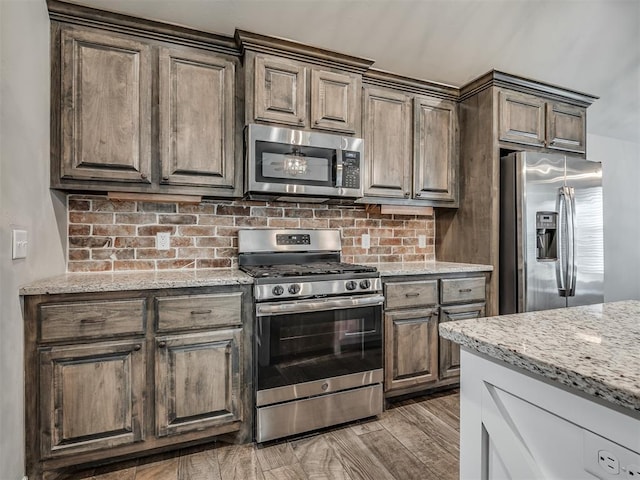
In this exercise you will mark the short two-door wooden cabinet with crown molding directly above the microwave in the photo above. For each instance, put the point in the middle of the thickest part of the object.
(294, 84)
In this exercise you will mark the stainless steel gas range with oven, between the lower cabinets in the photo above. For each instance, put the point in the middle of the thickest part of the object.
(318, 332)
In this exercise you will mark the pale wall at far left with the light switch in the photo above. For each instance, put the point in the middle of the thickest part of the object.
(25, 201)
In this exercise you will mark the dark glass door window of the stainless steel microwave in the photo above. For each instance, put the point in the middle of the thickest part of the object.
(282, 163)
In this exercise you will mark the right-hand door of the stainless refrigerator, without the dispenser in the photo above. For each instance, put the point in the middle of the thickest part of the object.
(585, 179)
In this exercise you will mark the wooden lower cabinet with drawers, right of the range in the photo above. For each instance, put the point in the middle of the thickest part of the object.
(416, 358)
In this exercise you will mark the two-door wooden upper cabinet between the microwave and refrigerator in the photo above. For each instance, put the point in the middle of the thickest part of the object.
(411, 142)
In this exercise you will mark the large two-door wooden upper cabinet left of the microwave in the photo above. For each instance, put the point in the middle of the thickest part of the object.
(131, 113)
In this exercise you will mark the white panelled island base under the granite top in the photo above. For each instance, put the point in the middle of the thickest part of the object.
(514, 425)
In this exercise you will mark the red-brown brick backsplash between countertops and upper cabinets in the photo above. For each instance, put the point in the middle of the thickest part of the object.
(106, 235)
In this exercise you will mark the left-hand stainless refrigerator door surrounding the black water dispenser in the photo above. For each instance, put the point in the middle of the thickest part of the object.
(542, 179)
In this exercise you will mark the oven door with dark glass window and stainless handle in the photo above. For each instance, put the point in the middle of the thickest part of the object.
(312, 347)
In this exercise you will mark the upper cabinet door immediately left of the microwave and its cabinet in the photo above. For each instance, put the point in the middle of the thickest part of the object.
(197, 115)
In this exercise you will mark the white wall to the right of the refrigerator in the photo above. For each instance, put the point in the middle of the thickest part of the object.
(621, 184)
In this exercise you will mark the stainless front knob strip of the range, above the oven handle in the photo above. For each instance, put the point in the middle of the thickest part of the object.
(280, 290)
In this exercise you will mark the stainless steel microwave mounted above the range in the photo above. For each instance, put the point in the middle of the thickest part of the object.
(287, 164)
